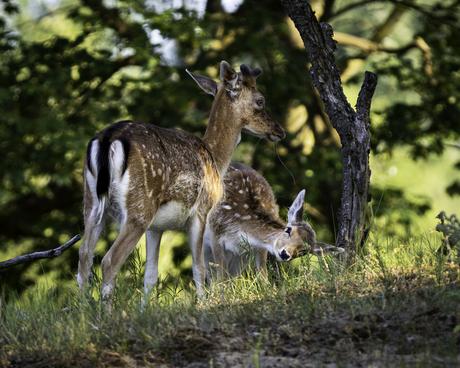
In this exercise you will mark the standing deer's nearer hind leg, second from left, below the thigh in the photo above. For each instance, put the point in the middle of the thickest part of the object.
(130, 234)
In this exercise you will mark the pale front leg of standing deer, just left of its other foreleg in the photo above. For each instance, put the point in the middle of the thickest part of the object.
(152, 250)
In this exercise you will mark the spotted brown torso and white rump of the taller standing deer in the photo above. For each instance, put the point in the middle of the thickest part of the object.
(140, 167)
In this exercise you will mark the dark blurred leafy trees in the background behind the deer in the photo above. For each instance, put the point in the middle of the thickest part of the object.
(70, 70)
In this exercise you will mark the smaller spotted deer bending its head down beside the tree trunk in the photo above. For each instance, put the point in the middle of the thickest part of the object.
(248, 213)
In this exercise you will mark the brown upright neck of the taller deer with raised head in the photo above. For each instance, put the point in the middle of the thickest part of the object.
(224, 130)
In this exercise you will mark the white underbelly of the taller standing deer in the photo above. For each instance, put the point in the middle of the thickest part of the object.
(171, 216)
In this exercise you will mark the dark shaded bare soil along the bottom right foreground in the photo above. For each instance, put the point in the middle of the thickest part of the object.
(362, 341)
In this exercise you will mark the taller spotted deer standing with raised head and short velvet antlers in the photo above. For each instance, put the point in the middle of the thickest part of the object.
(151, 179)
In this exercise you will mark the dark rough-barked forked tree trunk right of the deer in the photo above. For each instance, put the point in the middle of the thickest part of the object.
(353, 127)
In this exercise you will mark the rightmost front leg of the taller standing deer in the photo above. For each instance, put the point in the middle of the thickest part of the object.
(196, 235)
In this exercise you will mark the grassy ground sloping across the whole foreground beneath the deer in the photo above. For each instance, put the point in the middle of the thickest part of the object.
(397, 306)
